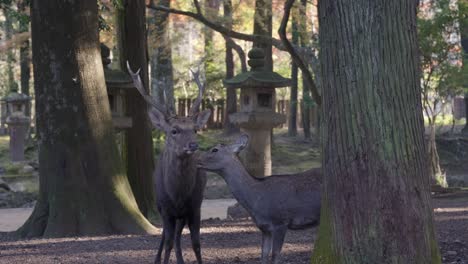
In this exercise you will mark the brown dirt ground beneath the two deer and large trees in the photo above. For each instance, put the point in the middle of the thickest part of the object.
(223, 241)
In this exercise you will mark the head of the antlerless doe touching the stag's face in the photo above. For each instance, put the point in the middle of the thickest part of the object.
(220, 156)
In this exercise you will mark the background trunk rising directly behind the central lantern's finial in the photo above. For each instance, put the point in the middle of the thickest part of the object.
(263, 26)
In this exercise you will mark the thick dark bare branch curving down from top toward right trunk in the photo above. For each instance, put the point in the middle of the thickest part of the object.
(296, 58)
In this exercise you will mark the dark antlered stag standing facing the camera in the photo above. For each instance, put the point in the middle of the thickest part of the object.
(179, 184)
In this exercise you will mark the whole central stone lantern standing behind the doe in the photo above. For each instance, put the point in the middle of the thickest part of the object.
(257, 114)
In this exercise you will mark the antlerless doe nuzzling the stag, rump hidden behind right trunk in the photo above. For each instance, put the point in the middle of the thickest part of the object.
(275, 203)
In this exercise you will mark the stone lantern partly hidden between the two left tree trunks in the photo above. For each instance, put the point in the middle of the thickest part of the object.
(117, 83)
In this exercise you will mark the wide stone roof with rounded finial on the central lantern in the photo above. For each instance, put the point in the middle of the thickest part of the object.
(257, 77)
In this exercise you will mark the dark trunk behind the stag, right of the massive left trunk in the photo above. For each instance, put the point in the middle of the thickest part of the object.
(139, 142)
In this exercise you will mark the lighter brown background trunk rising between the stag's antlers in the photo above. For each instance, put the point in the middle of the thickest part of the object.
(162, 81)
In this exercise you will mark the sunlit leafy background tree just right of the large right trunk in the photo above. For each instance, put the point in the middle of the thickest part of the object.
(440, 62)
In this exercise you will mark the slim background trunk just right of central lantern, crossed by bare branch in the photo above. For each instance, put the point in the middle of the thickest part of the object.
(292, 125)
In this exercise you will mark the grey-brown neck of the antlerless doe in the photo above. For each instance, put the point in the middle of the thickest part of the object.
(241, 184)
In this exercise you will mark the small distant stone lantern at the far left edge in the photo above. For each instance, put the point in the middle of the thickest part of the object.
(18, 123)
